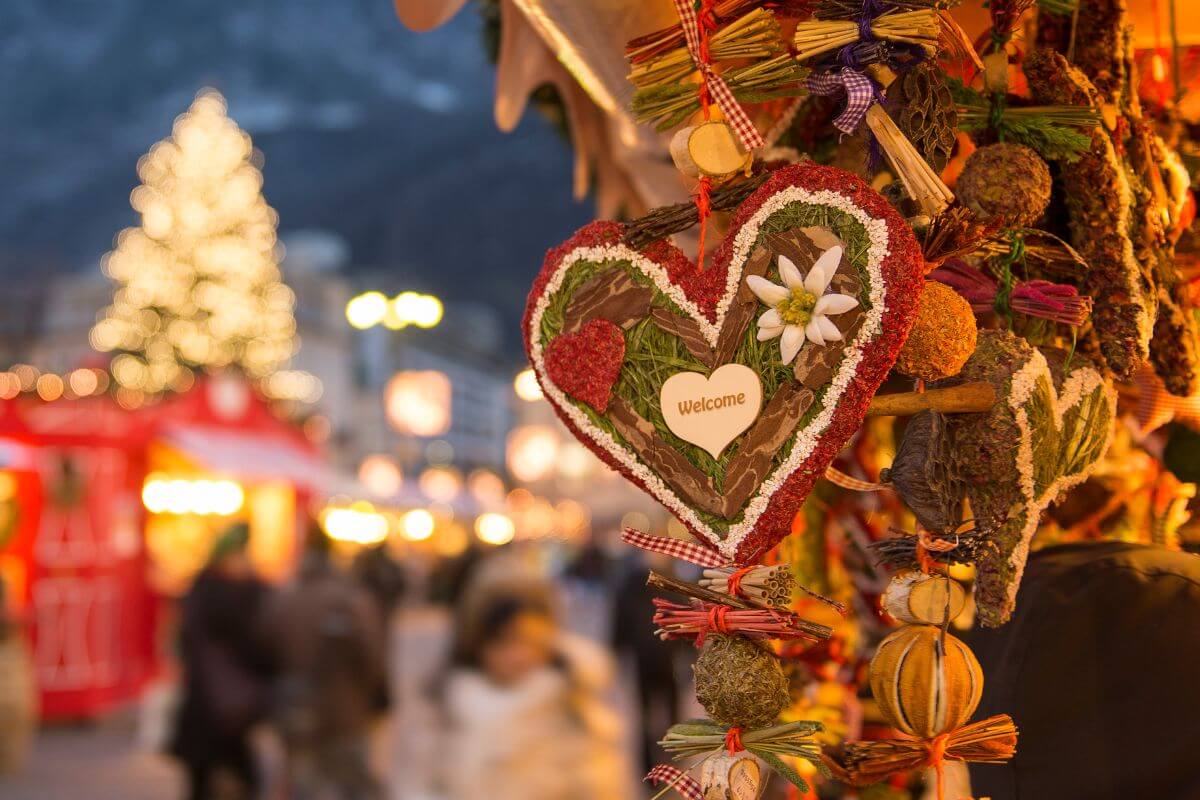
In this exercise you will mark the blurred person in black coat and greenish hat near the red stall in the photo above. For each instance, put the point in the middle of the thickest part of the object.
(225, 675)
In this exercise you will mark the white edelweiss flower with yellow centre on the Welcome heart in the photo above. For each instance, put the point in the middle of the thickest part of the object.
(801, 309)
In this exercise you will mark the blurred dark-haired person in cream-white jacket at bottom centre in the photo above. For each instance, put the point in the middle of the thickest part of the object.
(526, 720)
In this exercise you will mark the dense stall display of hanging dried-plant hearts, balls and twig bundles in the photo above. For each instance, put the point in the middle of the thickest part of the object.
(985, 225)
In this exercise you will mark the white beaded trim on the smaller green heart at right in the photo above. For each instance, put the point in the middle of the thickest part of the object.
(1078, 386)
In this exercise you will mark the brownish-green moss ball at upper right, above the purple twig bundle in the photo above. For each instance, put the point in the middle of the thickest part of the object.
(1006, 183)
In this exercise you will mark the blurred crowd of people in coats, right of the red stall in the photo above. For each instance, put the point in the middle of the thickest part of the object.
(524, 699)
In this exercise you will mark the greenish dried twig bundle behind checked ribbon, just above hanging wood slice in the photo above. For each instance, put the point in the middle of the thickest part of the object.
(757, 83)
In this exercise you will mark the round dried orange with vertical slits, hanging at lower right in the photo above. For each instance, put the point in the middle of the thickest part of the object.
(923, 689)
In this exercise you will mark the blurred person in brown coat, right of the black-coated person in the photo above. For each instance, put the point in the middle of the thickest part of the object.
(329, 642)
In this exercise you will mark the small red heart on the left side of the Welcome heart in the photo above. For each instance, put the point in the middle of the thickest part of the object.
(586, 364)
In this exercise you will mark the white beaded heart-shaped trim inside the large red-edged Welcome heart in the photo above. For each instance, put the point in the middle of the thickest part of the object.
(807, 440)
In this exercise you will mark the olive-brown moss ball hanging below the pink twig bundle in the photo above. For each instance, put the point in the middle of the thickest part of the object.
(740, 684)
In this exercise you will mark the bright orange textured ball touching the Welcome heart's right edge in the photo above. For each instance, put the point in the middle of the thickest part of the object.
(943, 338)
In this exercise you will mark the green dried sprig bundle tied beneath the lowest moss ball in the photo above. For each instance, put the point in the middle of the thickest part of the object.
(703, 738)
